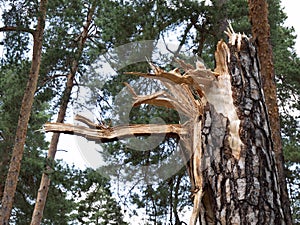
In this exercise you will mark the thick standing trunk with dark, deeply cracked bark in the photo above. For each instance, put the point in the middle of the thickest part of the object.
(240, 184)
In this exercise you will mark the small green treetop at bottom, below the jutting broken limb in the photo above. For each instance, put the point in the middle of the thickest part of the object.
(94, 201)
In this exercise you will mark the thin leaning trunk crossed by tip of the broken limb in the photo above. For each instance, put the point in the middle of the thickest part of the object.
(45, 181)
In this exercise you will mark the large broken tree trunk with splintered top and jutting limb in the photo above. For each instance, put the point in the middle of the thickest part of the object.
(231, 162)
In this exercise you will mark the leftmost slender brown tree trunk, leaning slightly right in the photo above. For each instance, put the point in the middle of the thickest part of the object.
(25, 111)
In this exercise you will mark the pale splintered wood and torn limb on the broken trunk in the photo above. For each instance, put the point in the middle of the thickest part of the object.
(188, 93)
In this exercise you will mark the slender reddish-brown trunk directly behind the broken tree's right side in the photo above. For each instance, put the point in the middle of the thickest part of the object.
(258, 13)
